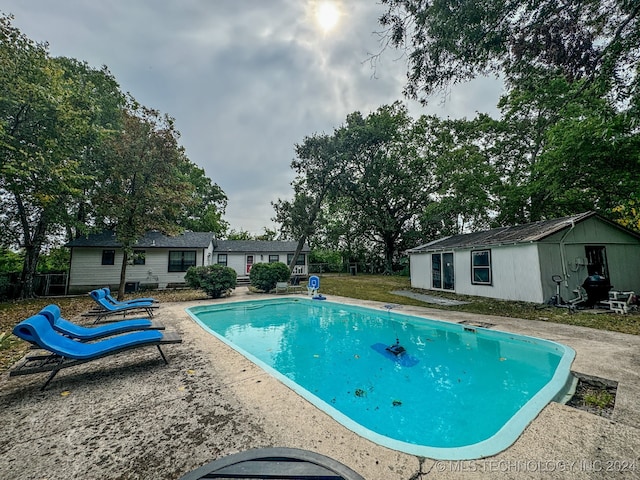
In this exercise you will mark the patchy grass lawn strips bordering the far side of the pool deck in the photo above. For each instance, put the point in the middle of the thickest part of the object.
(365, 287)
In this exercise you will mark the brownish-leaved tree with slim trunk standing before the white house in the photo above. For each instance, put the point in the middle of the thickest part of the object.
(144, 182)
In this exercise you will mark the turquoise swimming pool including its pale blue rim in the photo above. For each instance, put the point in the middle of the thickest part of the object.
(456, 393)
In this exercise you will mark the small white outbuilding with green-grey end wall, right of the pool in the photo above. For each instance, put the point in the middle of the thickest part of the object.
(517, 263)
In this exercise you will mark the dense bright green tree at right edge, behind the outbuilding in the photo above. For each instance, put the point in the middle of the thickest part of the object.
(590, 161)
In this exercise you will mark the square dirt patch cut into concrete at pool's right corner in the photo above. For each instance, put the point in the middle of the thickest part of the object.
(594, 395)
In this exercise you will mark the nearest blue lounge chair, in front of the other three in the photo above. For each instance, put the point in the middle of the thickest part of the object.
(65, 352)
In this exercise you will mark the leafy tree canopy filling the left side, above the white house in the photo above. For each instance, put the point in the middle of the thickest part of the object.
(77, 155)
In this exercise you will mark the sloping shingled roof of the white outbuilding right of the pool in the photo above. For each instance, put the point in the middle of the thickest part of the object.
(527, 233)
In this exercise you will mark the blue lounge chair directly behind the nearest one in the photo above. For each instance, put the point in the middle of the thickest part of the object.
(78, 332)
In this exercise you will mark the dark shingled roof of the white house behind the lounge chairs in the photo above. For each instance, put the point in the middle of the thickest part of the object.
(150, 240)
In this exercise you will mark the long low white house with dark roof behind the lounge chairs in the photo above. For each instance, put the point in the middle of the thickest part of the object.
(161, 261)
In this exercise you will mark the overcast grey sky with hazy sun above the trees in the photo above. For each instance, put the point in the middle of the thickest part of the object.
(245, 79)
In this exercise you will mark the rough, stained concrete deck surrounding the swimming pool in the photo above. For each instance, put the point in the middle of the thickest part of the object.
(130, 416)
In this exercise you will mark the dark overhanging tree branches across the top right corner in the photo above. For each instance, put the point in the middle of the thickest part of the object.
(449, 42)
